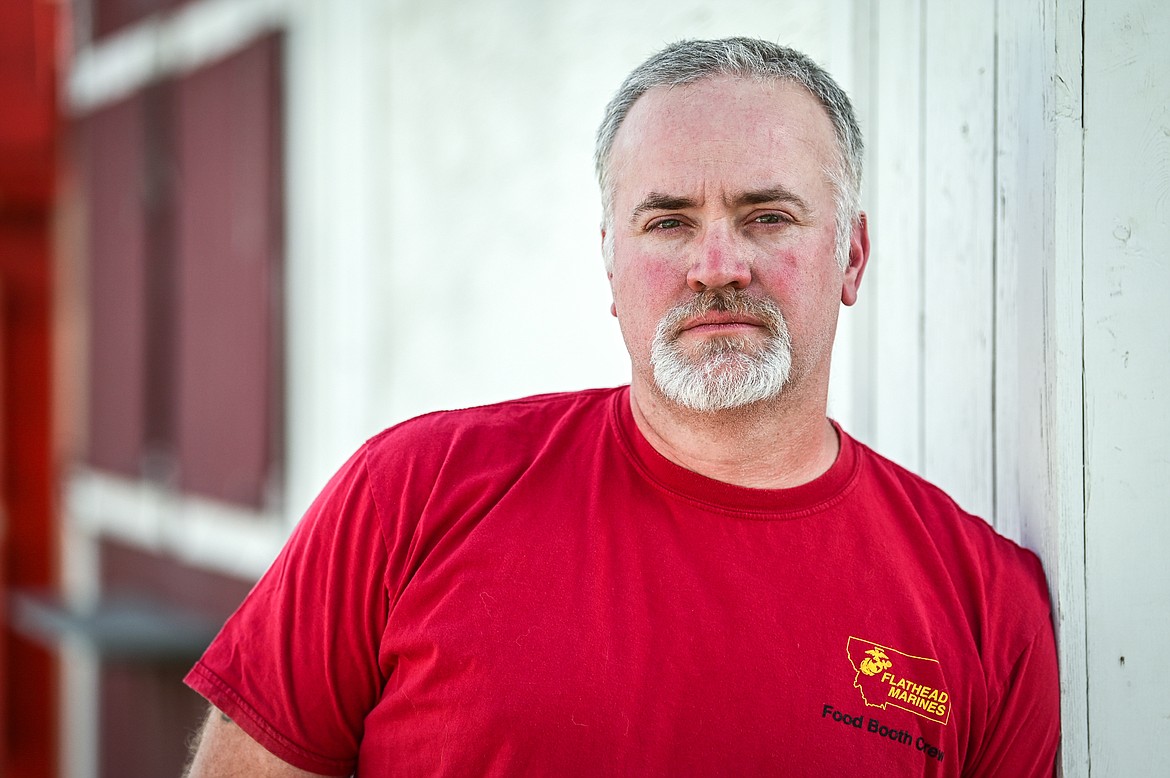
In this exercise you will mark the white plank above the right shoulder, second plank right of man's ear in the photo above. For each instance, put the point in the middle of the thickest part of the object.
(959, 246)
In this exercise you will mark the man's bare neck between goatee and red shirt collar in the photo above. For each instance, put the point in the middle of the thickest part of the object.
(773, 445)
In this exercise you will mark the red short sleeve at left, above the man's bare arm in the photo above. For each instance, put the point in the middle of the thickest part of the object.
(298, 665)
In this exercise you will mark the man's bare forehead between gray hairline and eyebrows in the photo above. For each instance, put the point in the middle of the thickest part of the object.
(724, 132)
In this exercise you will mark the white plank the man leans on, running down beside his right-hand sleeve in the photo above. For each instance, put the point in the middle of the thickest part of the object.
(1040, 443)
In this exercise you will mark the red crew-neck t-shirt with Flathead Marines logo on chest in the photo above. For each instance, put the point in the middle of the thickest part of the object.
(531, 589)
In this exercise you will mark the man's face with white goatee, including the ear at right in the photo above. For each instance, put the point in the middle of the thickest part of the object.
(724, 277)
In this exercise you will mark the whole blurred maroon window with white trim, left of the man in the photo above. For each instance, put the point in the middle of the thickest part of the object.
(187, 293)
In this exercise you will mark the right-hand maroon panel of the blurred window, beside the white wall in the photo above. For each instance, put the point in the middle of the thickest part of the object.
(228, 249)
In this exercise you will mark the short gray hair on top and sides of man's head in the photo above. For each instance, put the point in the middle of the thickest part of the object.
(687, 63)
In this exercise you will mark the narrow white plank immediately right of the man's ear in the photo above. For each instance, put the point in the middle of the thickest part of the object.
(893, 281)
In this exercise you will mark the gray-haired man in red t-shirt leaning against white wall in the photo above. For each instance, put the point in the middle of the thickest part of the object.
(698, 575)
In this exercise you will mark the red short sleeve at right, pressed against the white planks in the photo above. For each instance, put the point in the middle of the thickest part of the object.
(1024, 721)
